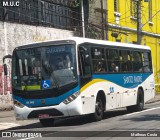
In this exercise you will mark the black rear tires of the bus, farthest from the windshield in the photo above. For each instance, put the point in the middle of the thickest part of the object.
(140, 102)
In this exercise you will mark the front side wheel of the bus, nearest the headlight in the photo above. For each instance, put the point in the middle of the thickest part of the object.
(99, 110)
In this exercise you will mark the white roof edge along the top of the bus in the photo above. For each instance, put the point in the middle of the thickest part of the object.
(80, 40)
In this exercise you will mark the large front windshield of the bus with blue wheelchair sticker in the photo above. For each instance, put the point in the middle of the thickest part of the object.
(44, 67)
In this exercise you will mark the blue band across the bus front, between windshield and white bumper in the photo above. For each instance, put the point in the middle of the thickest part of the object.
(48, 101)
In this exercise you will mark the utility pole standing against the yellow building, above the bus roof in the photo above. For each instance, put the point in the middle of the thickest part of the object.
(139, 25)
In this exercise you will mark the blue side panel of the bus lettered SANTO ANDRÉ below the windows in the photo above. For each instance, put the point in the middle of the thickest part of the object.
(124, 80)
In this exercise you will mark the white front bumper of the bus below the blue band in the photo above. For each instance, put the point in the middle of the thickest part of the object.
(61, 110)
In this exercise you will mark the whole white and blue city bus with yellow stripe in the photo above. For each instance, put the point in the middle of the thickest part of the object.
(79, 76)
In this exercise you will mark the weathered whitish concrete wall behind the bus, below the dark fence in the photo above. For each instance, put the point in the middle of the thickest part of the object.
(13, 35)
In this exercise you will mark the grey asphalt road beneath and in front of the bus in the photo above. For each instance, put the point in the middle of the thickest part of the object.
(117, 124)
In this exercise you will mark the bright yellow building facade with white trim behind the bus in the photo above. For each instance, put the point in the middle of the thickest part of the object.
(122, 25)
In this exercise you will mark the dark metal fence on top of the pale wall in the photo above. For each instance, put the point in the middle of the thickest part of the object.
(42, 13)
